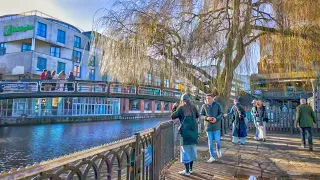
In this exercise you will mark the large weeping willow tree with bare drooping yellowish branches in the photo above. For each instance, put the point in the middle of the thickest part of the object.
(201, 41)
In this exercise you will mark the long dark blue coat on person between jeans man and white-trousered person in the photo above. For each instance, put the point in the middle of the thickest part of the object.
(240, 127)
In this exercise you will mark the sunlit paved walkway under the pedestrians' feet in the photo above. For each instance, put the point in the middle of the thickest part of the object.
(281, 157)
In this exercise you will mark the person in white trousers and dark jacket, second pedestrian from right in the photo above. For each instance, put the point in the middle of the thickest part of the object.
(260, 119)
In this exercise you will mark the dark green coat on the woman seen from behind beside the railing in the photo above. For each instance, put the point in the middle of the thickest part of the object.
(189, 128)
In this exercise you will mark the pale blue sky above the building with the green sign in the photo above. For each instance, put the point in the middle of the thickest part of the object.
(78, 13)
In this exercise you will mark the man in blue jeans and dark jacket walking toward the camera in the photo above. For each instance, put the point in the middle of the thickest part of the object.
(211, 113)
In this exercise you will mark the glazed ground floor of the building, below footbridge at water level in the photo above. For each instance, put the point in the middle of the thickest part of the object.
(78, 106)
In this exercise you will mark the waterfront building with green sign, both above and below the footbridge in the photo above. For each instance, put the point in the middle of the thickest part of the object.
(33, 41)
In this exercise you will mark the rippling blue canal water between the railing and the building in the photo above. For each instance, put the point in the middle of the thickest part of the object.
(23, 145)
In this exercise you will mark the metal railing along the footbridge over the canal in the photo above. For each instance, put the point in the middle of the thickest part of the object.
(54, 86)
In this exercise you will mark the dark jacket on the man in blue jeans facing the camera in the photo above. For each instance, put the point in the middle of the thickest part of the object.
(213, 110)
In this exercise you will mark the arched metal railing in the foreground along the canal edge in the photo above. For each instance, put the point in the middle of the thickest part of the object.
(142, 156)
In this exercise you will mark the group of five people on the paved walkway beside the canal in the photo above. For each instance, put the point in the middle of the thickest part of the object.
(211, 113)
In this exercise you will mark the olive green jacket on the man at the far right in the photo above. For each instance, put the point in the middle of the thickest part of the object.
(305, 116)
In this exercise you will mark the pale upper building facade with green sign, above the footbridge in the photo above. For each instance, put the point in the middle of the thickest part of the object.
(31, 42)
